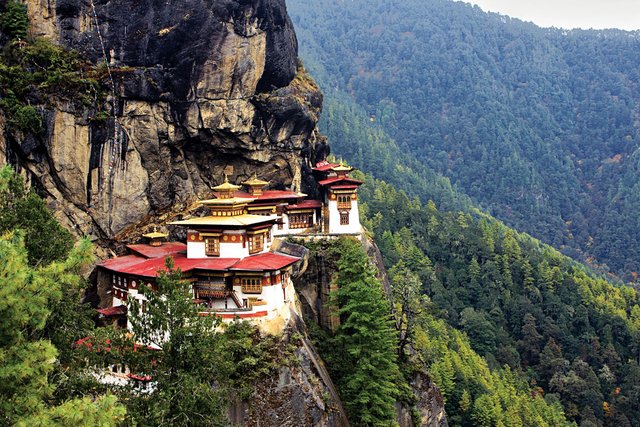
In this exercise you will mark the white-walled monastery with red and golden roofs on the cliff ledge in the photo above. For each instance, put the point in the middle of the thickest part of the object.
(227, 256)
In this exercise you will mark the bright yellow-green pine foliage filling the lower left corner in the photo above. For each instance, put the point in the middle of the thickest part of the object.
(26, 297)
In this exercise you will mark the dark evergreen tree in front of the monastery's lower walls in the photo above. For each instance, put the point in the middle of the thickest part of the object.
(188, 360)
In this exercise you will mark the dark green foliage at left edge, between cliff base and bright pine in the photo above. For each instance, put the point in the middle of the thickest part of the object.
(21, 208)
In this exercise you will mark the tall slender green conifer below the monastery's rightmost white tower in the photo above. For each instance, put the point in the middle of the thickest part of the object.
(367, 372)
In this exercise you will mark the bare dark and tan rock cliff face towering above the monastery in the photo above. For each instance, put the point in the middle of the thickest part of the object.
(195, 89)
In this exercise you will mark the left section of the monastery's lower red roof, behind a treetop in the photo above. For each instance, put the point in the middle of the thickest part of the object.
(139, 266)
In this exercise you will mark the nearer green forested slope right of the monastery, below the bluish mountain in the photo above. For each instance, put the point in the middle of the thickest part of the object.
(563, 333)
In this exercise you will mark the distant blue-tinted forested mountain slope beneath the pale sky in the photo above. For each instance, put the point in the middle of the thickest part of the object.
(538, 126)
